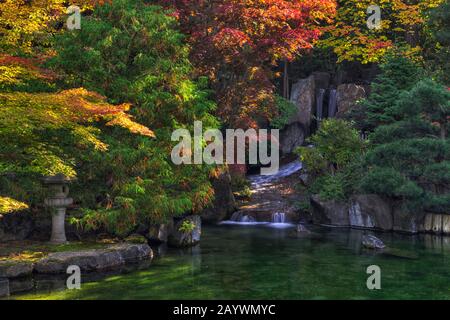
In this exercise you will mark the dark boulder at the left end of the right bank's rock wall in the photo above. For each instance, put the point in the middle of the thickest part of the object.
(329, 212)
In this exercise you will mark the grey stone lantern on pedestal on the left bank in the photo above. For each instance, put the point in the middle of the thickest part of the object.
(59, 201)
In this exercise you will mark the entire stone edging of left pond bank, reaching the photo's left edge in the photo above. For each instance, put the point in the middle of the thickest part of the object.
(109, 258)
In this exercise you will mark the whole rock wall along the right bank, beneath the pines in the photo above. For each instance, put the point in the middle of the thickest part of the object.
(374, 212)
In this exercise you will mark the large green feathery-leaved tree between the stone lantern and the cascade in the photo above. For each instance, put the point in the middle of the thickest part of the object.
(131, 52)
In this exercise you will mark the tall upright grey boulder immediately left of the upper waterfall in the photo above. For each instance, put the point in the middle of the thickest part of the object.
(303, 96)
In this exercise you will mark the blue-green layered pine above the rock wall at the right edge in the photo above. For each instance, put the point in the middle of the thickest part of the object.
(410, 158)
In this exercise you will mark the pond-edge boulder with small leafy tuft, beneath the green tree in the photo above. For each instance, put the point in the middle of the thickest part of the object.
(180, 238)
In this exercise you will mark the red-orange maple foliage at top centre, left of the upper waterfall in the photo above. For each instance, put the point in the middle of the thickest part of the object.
(236, 43)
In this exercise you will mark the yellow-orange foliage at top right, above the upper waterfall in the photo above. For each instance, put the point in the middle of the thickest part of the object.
(351, 39)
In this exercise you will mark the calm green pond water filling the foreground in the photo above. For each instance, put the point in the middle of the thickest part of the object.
(259, 262)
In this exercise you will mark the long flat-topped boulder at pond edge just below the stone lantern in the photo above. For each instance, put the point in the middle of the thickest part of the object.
(96, 259)
